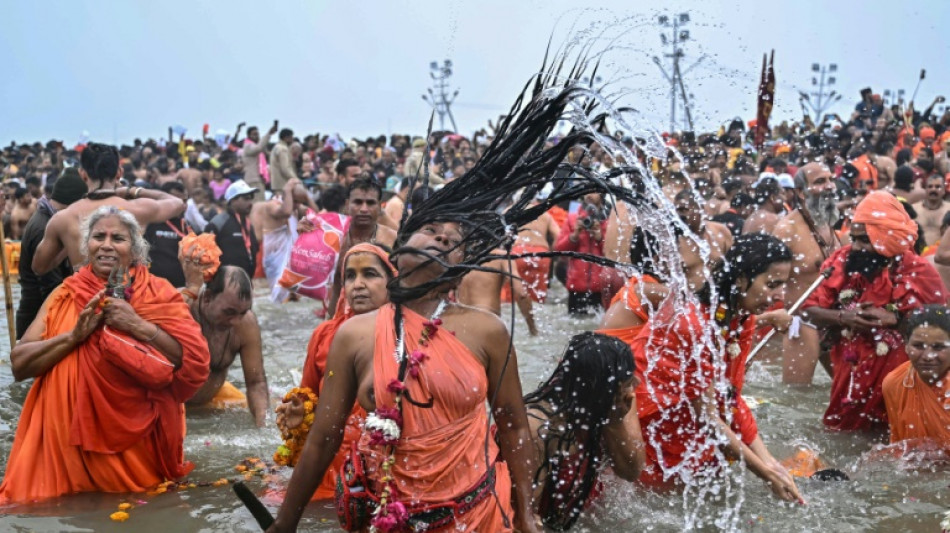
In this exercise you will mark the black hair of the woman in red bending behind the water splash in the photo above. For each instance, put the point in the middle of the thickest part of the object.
(751, 254)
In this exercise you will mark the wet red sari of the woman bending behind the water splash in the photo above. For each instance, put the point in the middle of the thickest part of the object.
(670, 384)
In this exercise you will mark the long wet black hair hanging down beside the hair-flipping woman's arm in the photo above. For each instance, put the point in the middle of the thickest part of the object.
(578, 399)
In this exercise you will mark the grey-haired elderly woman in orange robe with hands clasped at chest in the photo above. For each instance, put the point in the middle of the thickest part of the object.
(115, 354)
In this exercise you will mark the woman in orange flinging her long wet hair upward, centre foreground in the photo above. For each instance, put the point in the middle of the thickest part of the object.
(425, 368)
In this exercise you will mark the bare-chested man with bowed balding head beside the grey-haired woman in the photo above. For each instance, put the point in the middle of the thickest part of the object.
(222, 307)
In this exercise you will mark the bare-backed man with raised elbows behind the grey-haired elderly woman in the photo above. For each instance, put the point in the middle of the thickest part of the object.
(100, 170)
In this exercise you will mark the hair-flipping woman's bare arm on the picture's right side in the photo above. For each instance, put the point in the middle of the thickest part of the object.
(514, 435)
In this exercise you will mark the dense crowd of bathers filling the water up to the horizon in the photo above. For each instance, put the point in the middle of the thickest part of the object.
(137, 265)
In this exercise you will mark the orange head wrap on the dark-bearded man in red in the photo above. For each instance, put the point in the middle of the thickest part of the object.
(889, 227)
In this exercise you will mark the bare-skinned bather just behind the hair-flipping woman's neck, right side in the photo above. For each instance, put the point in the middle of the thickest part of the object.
(483, 291)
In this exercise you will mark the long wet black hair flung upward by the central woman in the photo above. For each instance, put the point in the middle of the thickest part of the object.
(516, 166)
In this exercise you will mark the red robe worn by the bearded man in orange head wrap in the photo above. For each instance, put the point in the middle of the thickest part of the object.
(910, 283)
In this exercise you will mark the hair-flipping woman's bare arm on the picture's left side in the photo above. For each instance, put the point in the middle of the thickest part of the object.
(326, 433)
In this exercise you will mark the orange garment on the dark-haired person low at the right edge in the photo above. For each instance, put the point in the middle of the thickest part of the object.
(920, 411)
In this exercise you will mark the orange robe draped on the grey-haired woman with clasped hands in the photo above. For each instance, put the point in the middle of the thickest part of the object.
(87, 424)
